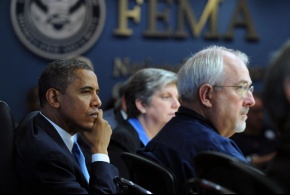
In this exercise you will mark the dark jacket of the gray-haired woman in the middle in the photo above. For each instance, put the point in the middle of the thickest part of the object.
(124, 139)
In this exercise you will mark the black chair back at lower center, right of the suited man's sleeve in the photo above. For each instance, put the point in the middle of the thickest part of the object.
(149, 174)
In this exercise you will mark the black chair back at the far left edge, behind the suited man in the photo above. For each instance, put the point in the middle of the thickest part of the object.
(9, 183)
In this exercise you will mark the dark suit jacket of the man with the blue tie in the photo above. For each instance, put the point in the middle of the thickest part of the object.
(45, 164)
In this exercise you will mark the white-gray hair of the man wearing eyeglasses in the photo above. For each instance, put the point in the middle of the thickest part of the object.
(206, 66)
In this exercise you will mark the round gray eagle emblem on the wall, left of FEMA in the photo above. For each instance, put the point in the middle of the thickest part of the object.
(57, 29)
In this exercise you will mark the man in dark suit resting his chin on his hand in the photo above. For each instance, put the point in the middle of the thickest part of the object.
(68, 93)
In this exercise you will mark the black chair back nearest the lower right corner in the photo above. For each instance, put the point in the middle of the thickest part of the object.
(233, 174)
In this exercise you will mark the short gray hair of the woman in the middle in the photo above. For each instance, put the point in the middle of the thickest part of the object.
(143, 84)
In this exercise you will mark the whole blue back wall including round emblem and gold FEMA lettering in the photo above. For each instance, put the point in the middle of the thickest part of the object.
(122, 36)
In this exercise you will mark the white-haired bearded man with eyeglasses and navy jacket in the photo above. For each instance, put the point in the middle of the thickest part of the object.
(215, 92)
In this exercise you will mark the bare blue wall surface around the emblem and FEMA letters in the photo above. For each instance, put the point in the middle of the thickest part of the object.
(20, 68)
